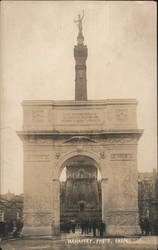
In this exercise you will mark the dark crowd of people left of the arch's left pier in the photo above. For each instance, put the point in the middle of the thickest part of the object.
(10, 228)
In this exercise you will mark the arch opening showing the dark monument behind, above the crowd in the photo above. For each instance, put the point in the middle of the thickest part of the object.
(80, 192)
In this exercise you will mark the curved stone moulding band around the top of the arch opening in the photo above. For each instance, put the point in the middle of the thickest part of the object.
(60, 164)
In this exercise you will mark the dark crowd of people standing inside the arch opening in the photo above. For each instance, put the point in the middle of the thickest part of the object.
(96, 227)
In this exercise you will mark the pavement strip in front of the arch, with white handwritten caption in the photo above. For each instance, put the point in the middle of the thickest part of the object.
(78, 241)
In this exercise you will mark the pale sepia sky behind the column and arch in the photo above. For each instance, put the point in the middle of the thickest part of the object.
(37, 63)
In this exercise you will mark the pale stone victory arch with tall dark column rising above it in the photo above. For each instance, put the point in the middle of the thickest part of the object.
(103, 131)
